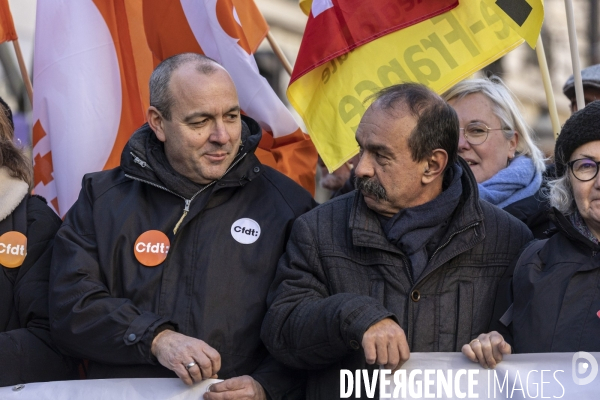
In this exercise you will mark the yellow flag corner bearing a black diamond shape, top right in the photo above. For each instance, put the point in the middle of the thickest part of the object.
(524, 16)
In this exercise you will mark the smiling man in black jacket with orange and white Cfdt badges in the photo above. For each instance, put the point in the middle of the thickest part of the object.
(163, 265)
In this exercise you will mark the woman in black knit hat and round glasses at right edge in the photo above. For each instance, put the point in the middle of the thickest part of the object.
(551, 303)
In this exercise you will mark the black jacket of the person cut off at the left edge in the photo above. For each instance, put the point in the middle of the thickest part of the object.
(27, 353)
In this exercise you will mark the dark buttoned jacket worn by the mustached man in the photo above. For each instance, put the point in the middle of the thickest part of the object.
(341, 275)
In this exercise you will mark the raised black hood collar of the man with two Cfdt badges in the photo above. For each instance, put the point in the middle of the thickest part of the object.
(143, 158)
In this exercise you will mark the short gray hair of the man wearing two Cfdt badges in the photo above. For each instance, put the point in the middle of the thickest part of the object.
(160, 96)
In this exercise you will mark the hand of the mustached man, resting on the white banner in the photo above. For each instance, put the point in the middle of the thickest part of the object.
(385, 343)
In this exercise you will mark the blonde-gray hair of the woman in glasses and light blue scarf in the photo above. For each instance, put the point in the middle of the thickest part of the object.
(505, 108)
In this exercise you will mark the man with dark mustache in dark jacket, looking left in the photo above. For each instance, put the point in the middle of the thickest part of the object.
(408, 262)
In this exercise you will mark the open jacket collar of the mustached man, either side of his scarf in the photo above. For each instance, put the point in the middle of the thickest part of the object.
(367, 231)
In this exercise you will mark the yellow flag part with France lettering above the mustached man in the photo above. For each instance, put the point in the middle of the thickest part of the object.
(437, 52)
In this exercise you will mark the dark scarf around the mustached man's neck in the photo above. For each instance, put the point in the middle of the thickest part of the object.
(415, 230)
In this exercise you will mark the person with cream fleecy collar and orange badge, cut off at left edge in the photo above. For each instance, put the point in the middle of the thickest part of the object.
(27, 229)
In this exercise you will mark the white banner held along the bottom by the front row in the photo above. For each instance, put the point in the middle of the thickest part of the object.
(425, 375)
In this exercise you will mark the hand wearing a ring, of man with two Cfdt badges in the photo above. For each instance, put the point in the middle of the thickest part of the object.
(175, 351)
